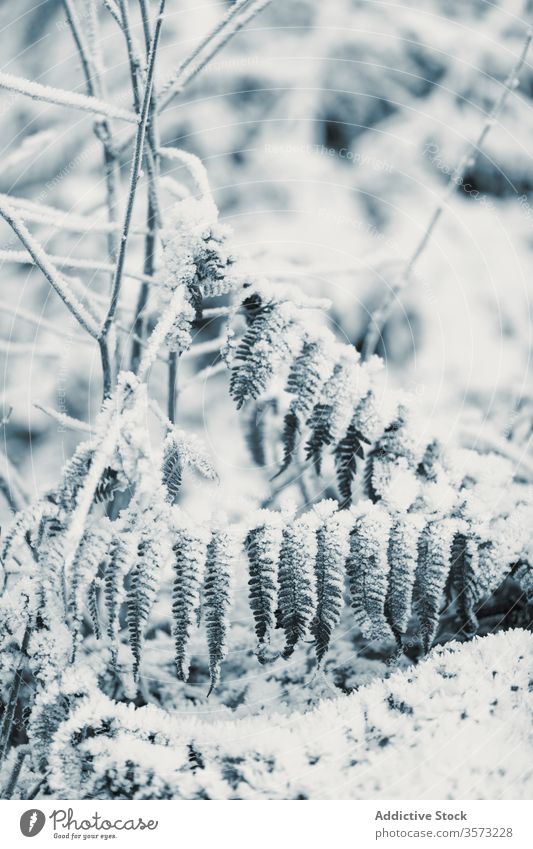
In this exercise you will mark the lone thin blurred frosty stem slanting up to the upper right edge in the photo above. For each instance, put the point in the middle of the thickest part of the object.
(381, 314)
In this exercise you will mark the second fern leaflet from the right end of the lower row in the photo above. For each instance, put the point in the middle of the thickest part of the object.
(434, 560)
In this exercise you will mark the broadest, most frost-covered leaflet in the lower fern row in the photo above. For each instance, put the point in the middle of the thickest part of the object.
(368, 569)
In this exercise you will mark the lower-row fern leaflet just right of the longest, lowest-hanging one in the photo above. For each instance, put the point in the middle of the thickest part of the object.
(262, 545)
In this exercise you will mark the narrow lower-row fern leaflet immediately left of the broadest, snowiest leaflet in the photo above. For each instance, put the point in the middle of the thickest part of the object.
(332, 549)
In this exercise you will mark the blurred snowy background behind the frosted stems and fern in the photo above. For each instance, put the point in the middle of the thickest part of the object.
(328, 131)
